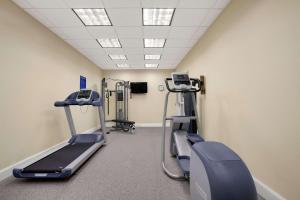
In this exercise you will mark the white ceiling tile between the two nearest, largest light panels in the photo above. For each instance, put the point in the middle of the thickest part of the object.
(125, 17)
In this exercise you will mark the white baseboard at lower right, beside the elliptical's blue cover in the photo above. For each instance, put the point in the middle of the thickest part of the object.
(266, 192)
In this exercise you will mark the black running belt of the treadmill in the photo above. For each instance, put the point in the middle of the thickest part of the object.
(59, 159)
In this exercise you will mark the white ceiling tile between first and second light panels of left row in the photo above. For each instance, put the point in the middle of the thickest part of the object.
(102, 31)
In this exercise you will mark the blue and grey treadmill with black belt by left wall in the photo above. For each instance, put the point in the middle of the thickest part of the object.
(65, 161)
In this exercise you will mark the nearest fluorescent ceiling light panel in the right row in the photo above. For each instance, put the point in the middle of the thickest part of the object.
(157, 16)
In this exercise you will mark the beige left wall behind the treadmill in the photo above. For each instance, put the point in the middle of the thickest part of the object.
(36, 69)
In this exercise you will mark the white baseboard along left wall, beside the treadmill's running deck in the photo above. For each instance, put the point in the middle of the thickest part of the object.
(7, 172)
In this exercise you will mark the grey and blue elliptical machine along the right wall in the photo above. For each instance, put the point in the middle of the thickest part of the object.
(214, 170)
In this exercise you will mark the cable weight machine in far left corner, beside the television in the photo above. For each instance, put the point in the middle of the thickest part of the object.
(121, 103)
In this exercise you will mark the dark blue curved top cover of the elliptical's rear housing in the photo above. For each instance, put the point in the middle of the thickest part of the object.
(229, 177)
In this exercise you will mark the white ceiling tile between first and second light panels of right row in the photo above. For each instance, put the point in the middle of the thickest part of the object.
(156, 31)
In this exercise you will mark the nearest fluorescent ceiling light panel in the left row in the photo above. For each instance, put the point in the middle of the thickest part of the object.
(93, 17)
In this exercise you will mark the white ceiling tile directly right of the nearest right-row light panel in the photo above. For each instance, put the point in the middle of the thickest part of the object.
(189, 17)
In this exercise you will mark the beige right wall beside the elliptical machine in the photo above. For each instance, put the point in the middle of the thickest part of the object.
(251, 60)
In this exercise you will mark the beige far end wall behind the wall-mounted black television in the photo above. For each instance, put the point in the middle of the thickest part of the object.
(143, 108)
